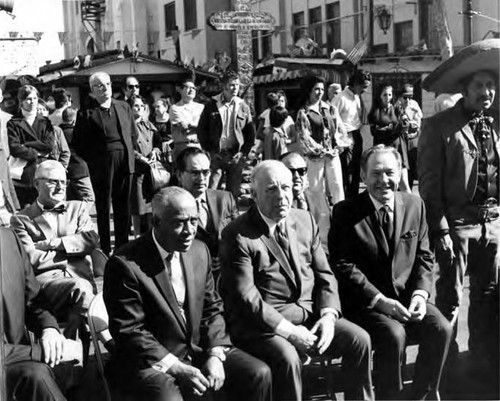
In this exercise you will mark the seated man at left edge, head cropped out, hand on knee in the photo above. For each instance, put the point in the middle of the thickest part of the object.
(28, 366)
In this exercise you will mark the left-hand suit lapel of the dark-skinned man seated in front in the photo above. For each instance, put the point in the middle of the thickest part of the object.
(161, 278)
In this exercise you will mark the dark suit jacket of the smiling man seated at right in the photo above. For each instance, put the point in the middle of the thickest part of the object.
(363, 260)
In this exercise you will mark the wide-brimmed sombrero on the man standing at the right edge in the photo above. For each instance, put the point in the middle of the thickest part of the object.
(447, 78)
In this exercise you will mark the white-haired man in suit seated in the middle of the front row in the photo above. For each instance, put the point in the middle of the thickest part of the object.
(280, 293)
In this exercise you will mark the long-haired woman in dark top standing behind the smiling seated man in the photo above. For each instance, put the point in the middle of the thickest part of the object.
(386, 129)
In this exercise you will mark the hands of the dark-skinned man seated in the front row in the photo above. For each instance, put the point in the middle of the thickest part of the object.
(211, 376)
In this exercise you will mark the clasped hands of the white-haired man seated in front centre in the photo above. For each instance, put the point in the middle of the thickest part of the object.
(317, 339)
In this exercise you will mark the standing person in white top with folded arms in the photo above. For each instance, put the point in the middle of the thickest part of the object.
(184, 117)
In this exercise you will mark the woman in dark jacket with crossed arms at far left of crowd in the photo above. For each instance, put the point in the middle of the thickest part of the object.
(31, 140)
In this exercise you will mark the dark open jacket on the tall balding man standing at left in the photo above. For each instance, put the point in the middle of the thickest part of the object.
(89, 138)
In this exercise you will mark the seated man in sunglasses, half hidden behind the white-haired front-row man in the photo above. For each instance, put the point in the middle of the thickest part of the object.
(306, 199)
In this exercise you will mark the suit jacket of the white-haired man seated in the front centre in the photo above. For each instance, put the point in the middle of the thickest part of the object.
(259, 283)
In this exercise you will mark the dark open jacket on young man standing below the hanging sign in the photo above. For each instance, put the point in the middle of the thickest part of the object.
(210, 127)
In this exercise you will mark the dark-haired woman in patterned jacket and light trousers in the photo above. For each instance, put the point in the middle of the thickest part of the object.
(320, 129)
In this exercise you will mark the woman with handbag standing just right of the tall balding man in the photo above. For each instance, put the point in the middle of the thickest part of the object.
(149, 143)
